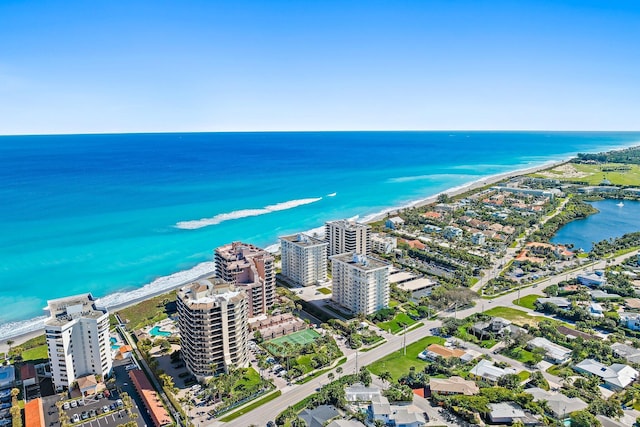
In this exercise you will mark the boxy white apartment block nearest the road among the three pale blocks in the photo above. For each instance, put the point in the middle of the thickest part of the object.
(360, 282)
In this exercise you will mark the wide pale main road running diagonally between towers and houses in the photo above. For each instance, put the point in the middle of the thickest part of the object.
(294, 393)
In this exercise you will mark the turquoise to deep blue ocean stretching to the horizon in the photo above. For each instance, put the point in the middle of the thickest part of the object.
(115, 214)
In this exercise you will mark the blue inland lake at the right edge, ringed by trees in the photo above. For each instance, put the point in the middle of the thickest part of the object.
(611, 221)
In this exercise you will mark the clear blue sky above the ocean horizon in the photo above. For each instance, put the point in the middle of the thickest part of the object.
(156, 66)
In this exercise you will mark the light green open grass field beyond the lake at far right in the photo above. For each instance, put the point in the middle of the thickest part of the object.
(628, 175)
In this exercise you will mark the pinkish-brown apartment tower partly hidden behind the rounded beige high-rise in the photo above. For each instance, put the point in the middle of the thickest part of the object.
(250, 269)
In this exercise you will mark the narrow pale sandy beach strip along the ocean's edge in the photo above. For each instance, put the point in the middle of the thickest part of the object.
(205, 272)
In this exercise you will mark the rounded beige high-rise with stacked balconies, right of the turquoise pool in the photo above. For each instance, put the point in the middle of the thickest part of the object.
(213, 324)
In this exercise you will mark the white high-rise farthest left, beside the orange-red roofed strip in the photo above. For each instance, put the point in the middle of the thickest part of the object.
(77, 334)
